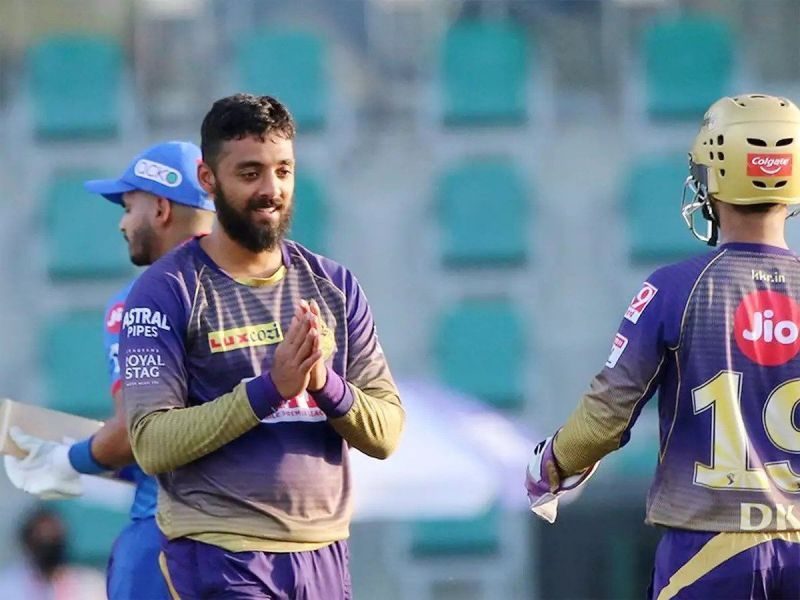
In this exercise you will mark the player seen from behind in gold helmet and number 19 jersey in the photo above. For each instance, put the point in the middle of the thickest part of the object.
(718, 337)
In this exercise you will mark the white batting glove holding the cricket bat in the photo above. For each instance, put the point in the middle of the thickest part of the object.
(46, 471)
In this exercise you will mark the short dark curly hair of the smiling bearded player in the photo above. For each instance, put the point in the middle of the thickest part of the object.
(242, 115)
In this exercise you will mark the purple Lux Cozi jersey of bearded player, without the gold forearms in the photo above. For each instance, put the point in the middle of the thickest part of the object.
(191, 334)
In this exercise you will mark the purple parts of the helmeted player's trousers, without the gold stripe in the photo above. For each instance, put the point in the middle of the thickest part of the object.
(769, 570)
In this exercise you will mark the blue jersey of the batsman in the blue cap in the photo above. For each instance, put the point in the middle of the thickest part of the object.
(144, 503)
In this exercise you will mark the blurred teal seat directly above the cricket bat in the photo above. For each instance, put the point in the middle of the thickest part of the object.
(74, 364)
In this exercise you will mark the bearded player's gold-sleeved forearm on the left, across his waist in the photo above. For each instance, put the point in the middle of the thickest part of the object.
(165, 440)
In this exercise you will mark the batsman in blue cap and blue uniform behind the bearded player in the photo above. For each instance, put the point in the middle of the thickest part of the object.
(164, 206)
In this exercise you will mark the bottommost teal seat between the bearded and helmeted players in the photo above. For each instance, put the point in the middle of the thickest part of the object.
(447, 537)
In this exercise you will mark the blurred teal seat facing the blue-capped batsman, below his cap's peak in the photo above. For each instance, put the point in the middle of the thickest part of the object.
(82, 233)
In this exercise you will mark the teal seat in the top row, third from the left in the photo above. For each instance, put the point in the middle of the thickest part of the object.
(484, 73)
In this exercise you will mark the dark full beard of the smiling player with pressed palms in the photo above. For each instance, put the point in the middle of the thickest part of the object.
(240, 226)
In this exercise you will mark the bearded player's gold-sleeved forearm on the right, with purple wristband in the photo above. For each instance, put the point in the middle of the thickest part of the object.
(370, 420)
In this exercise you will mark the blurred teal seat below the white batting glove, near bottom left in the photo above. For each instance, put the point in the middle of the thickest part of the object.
(91, 530)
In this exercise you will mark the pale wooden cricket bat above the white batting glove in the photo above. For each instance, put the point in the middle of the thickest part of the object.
(41, 422)
